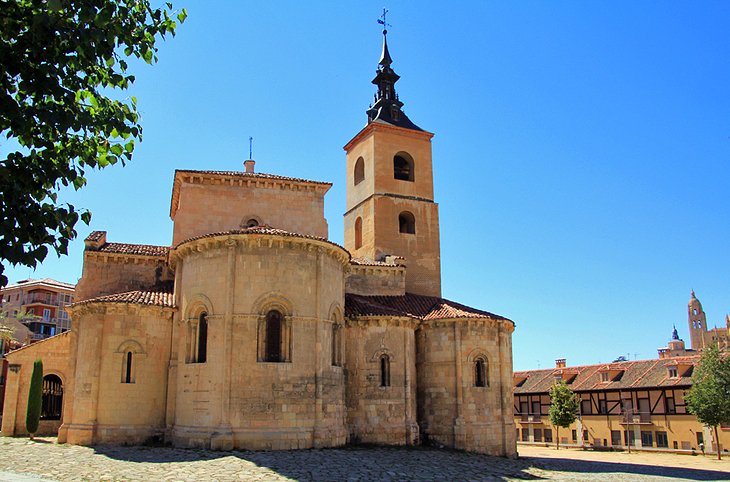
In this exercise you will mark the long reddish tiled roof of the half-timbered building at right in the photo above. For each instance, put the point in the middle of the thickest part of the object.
(632, 374)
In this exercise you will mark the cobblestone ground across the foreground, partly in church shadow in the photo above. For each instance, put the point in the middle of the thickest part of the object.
(43, 459)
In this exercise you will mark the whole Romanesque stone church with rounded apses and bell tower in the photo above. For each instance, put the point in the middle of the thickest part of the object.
(253, 330)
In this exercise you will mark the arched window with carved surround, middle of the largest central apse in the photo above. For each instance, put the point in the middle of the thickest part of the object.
(274, 331)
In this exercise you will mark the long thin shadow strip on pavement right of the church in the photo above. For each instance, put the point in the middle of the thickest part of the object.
(594, 467)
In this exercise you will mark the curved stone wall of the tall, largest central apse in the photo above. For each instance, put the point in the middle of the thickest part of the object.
(236, 398)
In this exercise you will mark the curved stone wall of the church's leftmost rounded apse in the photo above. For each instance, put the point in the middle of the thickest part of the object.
(107, 406)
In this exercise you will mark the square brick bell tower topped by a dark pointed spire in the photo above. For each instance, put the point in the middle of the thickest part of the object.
(390, 204)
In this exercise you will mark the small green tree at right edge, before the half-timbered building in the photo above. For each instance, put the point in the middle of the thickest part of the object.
(709, 397)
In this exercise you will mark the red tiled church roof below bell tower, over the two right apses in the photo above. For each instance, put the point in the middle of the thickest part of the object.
(415, 306)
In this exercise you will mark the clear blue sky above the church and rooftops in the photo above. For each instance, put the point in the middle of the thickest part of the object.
(581, 155)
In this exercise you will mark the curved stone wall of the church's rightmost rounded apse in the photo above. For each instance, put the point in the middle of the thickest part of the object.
(453, 411)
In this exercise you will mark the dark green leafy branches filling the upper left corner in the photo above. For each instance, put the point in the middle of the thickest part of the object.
(61, 60)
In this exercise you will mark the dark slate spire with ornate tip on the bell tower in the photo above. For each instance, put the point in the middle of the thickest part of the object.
(387, 106)
